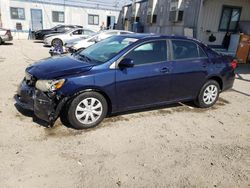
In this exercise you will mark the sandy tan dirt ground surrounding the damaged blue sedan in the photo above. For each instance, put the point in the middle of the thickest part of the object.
(175, 146)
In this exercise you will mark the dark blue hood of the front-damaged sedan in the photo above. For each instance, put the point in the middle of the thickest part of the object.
(58, 66)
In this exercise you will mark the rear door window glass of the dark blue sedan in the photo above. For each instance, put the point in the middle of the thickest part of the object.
(183, 49)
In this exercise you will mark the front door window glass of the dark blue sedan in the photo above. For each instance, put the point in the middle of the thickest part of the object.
(151, 52)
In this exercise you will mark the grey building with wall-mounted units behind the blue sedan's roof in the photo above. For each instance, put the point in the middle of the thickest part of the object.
(206, 20)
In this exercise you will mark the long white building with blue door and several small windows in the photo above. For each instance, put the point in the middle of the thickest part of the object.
(23, 15)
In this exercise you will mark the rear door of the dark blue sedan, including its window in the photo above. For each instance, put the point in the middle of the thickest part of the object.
(189, 69)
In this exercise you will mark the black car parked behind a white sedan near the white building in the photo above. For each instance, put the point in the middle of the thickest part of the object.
(39, 35)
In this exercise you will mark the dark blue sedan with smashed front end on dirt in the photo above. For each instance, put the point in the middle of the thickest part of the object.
(122, 73)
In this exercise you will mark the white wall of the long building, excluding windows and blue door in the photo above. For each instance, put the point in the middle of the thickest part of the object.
(72, 15)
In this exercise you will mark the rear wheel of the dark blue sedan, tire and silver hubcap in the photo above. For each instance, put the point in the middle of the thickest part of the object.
(208, 94)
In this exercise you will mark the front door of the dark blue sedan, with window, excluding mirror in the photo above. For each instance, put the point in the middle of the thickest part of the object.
(148, 81)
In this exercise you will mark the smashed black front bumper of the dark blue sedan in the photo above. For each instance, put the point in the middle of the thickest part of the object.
(45, 106)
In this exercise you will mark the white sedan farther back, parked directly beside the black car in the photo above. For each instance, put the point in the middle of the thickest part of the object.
(61, 39)
